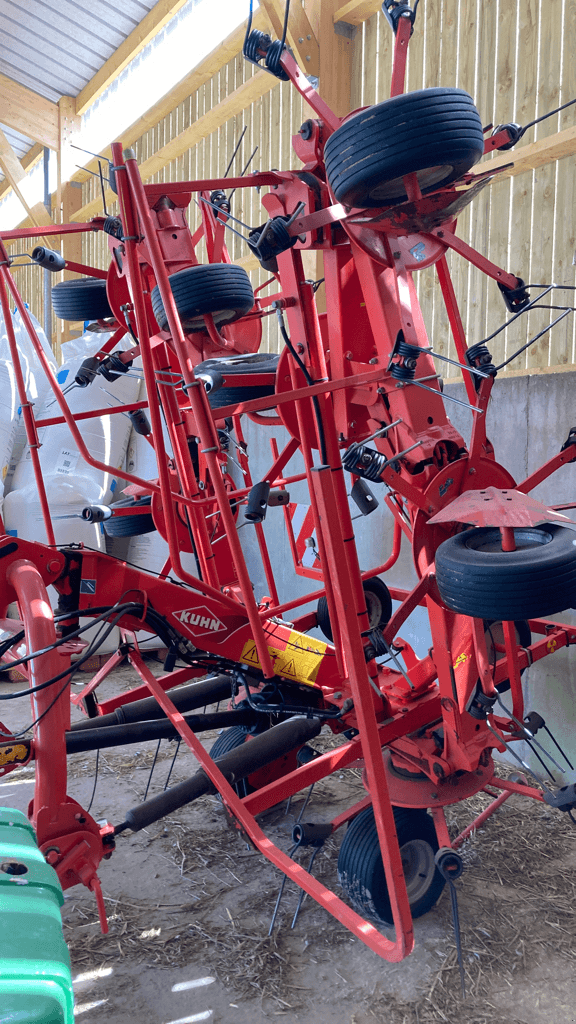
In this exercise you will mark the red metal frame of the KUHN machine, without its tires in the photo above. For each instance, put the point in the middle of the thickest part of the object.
(398, 711)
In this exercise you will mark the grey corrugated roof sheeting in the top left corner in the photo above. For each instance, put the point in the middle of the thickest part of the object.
(56, 49)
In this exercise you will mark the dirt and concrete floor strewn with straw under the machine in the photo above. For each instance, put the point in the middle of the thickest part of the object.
(190, 909)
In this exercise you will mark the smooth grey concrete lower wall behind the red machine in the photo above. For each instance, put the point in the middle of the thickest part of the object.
(528, 422)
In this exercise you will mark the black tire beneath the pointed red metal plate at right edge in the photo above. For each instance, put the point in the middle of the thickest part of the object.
(476, 578)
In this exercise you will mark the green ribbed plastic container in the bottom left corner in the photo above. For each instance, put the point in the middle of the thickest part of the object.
(35, 978)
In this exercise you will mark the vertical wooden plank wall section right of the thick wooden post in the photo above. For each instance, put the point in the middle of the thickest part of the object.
(515, 58)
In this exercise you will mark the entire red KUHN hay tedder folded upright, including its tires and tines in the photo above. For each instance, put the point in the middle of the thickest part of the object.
(357, 389)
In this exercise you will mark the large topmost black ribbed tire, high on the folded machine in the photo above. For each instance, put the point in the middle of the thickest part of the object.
(435, 133)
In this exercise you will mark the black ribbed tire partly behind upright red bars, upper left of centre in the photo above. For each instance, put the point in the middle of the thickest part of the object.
(221, 289)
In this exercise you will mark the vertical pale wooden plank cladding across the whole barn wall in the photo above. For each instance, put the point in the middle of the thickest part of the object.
(514, 57)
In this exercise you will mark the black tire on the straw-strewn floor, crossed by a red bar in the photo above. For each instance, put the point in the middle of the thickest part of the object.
(361, 871)
